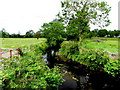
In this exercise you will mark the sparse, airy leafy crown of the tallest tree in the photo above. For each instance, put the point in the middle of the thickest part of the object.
(77, 15)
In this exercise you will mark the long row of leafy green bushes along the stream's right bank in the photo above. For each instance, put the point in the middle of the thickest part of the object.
(95, 59)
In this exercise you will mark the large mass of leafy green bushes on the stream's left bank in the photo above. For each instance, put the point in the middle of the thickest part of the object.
(30, 71)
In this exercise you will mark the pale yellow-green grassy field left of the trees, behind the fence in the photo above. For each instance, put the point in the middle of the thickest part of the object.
(19, 42)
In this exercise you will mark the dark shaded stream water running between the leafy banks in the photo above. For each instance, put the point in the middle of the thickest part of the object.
(79, 77)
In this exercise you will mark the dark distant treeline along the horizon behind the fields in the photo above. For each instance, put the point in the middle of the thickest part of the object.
(38, 34)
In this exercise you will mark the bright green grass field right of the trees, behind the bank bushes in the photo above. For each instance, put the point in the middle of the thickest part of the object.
(111, 44)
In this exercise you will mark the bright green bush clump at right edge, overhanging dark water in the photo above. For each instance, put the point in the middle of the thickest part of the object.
(113, 67)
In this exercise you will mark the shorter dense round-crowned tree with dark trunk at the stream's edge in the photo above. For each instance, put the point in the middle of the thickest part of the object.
(53, 32)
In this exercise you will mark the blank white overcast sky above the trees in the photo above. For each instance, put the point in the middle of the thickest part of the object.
(20, 16)
